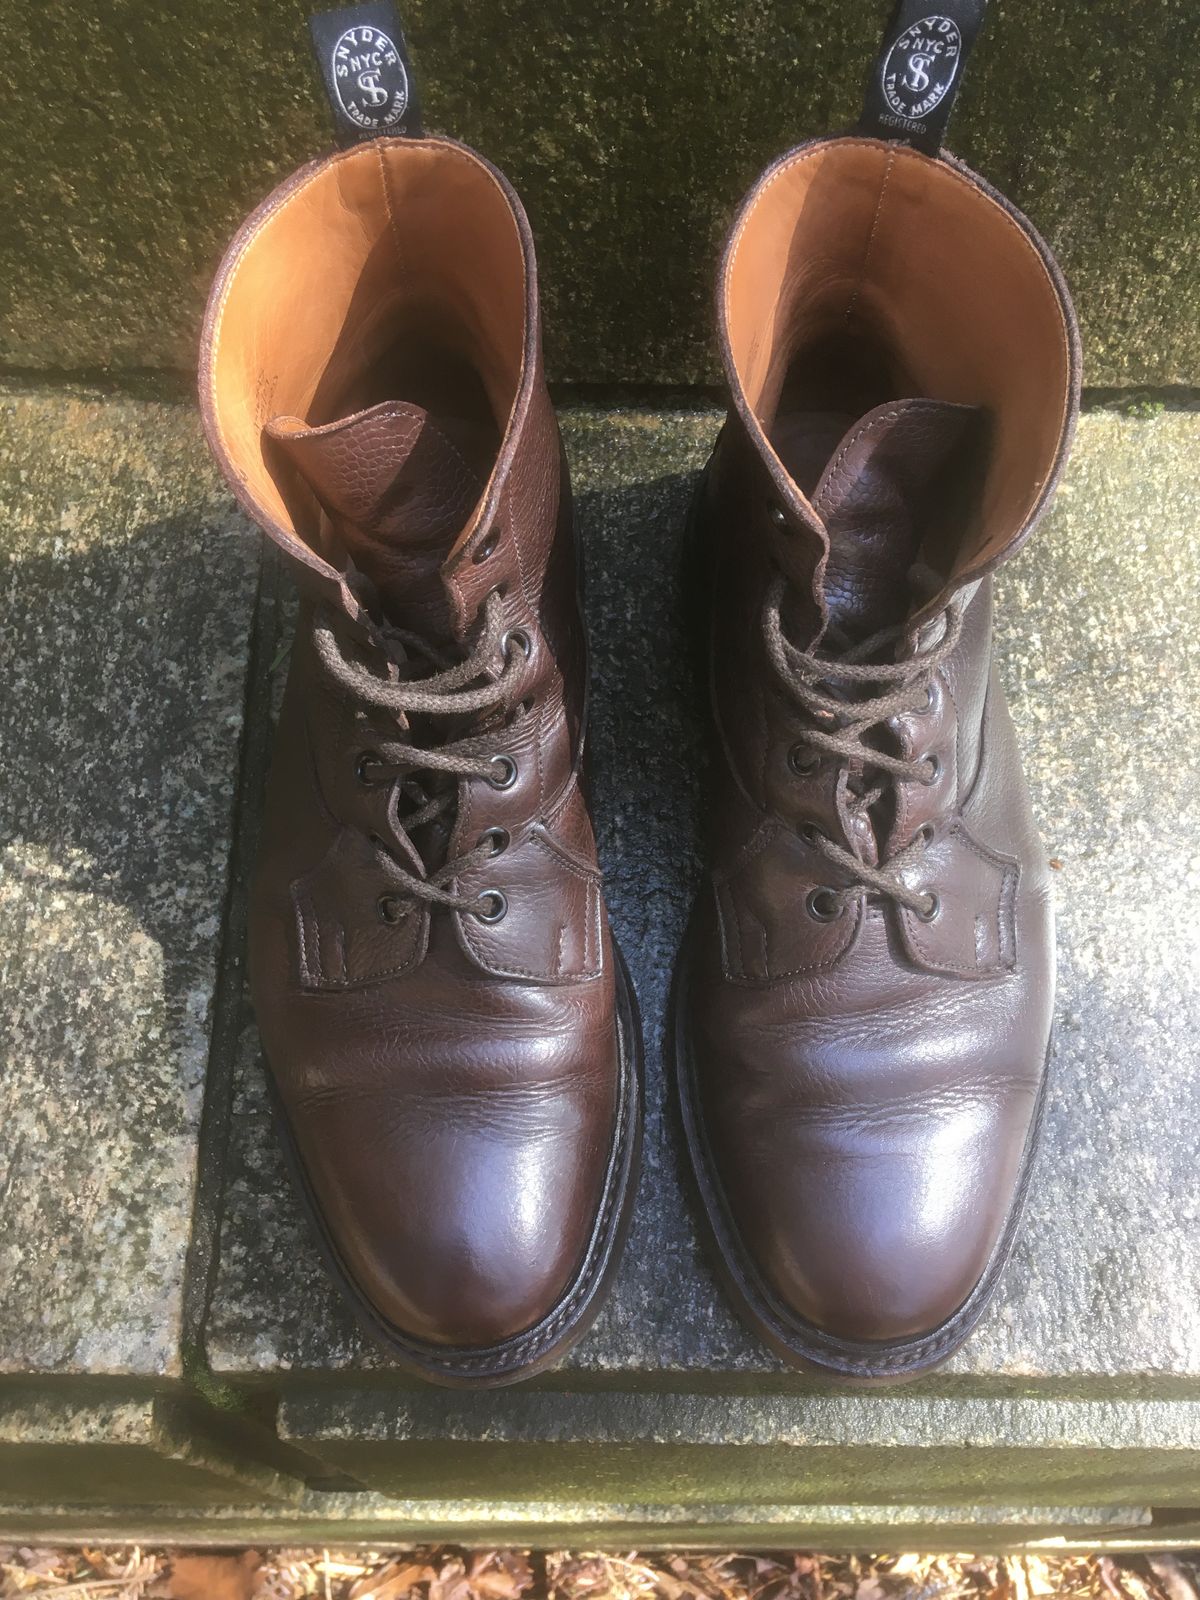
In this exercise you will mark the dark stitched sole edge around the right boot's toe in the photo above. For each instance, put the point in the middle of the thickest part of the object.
(796, 1342)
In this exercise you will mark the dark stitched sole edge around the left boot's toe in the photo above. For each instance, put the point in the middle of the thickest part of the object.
(543, 1345)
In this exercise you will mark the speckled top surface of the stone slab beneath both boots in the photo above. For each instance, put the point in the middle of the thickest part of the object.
(1103, 663)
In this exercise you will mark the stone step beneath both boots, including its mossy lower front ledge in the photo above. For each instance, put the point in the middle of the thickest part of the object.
(1084, 1385)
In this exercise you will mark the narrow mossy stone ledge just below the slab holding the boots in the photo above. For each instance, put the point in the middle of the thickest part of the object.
(679, 1450)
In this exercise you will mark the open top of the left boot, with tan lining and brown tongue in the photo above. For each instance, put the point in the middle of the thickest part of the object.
(372, 378)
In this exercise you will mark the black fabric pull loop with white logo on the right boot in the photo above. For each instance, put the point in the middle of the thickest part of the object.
(918, 73)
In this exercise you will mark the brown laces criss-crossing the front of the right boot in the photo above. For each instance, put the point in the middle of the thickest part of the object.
(844, 724)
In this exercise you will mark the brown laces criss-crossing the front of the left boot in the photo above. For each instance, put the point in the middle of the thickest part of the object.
(447, 692)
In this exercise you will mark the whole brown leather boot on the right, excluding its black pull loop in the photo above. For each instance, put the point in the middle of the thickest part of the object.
(866, 993)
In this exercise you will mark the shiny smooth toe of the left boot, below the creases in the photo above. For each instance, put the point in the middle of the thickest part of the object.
(460, 1226)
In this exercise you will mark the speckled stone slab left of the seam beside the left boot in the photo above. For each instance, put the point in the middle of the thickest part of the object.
(127, 588)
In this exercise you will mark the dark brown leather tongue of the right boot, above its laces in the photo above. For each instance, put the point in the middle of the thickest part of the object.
(876, 490)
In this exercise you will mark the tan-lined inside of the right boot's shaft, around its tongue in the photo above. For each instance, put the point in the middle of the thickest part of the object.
(860, 273)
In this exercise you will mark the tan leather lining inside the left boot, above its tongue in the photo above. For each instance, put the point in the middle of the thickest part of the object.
(388, 238)
